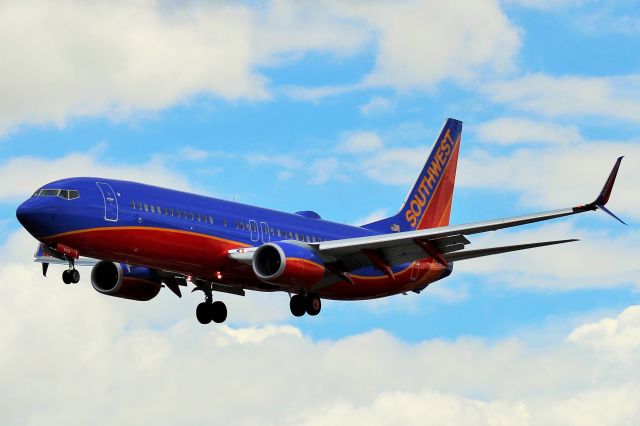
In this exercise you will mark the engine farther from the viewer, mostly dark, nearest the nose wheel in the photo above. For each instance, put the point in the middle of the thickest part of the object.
(128, 282)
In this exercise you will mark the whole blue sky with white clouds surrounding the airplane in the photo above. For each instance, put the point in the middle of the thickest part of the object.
(331, 106)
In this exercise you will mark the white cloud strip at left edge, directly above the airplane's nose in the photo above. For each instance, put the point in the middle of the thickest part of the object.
(20, 181)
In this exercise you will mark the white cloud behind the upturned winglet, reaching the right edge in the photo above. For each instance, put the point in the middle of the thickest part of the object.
(558, 176)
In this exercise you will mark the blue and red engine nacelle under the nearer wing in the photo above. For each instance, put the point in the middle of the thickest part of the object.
(288, 264)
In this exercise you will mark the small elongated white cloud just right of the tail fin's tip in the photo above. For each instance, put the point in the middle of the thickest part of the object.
(510, 131)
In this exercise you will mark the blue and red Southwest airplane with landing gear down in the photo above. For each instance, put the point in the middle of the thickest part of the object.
(140, 238)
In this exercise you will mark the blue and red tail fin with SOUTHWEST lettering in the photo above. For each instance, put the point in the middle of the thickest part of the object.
(428, 204)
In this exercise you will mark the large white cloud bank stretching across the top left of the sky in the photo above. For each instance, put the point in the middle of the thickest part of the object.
(122, 58)
